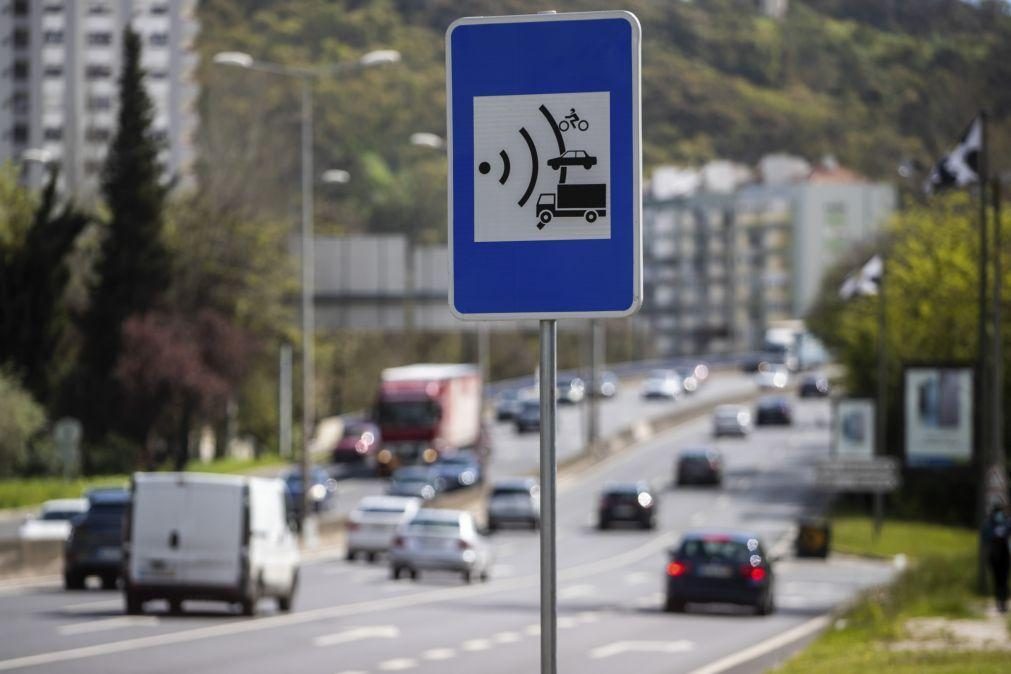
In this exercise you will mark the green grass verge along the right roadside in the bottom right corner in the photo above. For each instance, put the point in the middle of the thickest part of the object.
(940, 582)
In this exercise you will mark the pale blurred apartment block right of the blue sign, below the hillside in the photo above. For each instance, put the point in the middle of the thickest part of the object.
(729, 252)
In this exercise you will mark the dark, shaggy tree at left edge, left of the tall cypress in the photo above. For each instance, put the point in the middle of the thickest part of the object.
(34, 280)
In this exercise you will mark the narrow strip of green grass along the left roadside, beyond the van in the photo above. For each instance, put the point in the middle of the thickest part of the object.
(17, 494)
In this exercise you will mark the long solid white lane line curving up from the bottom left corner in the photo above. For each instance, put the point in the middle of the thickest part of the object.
(240, 627)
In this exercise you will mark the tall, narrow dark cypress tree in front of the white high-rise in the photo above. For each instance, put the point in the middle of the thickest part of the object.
(135, 266)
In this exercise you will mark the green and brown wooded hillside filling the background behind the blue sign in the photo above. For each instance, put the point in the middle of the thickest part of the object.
(873, 82)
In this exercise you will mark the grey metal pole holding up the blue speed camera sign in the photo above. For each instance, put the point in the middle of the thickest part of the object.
(549, 580)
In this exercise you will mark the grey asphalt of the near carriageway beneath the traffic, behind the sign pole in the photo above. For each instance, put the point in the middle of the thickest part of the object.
(351, 619)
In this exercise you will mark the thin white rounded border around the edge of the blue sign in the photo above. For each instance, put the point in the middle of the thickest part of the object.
(637, 297)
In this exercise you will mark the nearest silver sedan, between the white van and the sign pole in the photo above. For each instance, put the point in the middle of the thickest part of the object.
(437, 540)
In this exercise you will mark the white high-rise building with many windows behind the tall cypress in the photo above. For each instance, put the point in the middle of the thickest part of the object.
(60, 64)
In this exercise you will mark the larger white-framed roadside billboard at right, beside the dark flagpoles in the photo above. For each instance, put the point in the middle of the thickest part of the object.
(940, 414)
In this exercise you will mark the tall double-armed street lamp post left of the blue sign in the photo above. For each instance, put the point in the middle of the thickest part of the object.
(307, 75)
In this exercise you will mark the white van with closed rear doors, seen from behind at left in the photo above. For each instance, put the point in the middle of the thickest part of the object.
(194, 536)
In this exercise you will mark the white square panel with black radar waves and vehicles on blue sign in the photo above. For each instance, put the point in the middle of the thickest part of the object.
(542, 167)
